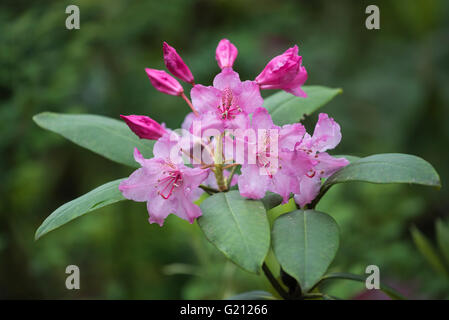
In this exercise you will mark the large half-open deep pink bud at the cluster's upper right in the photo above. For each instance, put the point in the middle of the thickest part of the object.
(284, 72)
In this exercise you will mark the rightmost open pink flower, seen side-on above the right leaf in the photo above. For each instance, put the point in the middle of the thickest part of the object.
(326, 136)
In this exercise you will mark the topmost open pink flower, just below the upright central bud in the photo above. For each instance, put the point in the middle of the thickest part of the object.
(227, 103)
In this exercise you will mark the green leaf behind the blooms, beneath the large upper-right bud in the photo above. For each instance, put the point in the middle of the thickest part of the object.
(286, 108)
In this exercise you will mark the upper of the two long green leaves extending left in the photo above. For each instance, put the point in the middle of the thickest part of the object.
(105, 136)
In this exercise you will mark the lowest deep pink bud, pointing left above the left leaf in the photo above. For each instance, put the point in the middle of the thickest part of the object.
(144, 127)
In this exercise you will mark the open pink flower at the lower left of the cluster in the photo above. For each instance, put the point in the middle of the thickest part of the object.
(166, 184)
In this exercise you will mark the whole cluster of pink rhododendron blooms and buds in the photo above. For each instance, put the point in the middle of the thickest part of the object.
(229, 128)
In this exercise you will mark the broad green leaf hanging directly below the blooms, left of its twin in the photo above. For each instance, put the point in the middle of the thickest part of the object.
(238, 227)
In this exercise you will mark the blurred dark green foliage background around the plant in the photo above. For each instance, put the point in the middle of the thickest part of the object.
(395, 99)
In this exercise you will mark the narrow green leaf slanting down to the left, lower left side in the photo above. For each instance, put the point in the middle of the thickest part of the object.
(95, 199)
